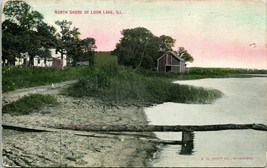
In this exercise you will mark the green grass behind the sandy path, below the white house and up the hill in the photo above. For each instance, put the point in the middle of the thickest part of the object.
(14, 78)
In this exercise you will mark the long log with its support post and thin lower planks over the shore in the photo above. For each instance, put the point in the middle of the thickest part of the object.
(105, 131)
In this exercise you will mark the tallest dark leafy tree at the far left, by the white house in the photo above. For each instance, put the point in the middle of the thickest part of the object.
(23, 31)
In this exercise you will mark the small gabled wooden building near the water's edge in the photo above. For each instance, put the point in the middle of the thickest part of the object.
(171, 62)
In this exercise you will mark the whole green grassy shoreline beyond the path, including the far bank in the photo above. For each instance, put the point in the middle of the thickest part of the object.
(107, 80)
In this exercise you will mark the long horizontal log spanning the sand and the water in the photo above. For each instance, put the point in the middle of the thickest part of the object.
(143, 128)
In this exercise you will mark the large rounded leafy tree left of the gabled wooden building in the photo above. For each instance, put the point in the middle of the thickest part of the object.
(137, 48)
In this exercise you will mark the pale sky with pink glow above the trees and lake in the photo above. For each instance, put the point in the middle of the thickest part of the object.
(217, 33)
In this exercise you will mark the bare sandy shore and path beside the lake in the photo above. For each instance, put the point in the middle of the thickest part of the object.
(56, 149)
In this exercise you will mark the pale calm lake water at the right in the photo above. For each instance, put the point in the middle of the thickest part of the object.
(243, 102)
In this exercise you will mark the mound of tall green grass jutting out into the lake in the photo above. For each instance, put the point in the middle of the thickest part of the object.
(120, 84)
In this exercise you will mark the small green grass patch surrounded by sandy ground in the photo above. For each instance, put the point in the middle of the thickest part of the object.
(29, 104)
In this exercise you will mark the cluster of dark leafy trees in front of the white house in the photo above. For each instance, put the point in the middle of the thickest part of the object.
(25, 34)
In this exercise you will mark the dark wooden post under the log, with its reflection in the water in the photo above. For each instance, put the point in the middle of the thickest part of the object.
(187, 143)
